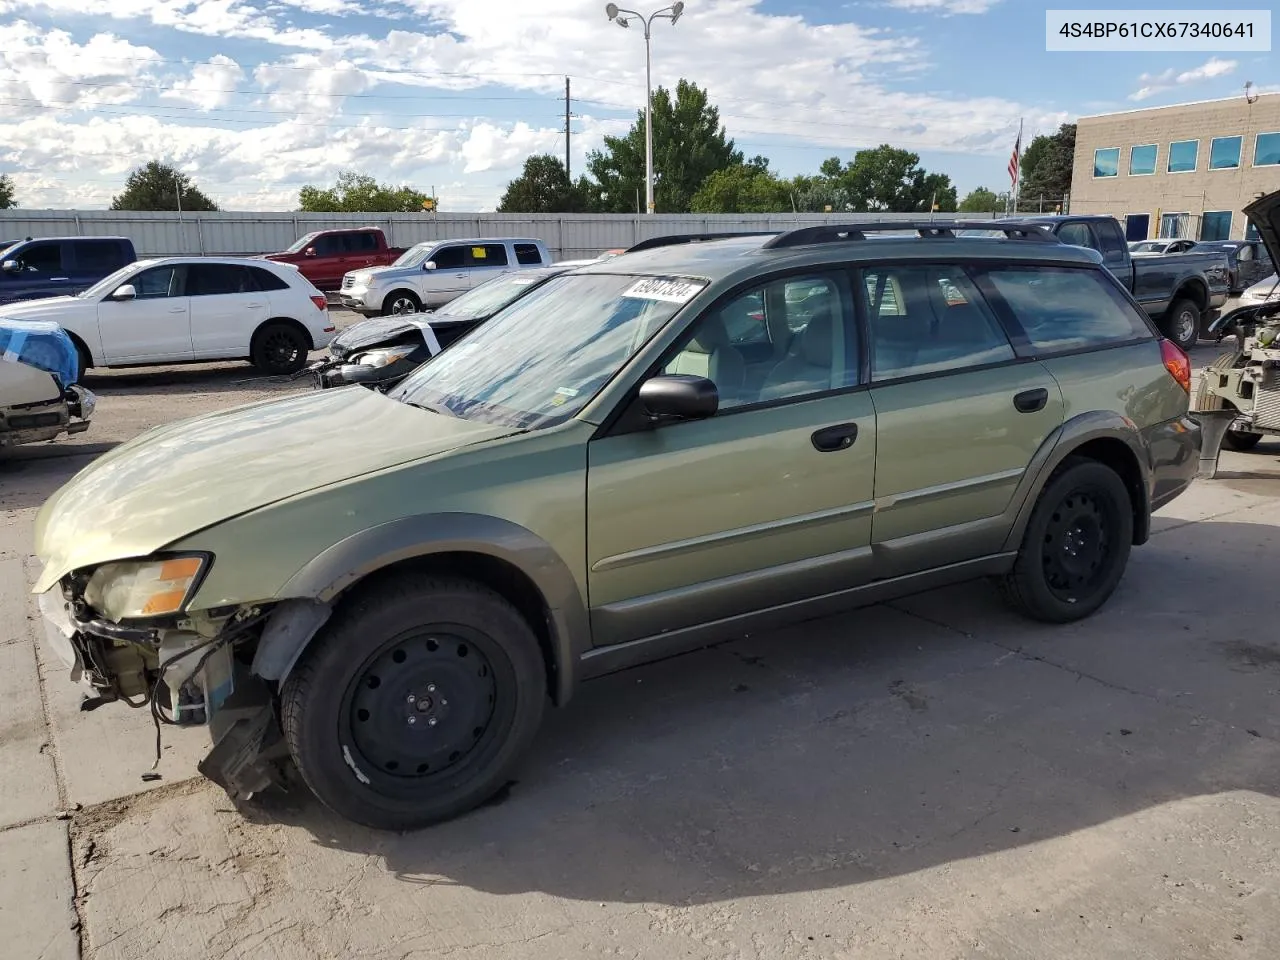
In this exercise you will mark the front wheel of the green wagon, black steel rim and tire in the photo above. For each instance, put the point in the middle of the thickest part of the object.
(415, 703)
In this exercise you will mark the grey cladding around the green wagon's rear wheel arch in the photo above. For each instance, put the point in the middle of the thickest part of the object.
(1108, 438)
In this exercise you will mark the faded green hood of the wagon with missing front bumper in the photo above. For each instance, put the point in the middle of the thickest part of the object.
(179, 479)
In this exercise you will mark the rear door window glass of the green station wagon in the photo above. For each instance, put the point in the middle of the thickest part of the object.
(930, 319)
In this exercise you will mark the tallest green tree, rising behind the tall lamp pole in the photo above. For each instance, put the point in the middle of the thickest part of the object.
(689, 144)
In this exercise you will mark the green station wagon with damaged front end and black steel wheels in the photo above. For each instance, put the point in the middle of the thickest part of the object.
(680, 445)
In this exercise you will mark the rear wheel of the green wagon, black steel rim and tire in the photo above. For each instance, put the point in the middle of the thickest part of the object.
(1076, 547)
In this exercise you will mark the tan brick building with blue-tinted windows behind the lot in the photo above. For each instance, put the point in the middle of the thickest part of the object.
(1183, 171)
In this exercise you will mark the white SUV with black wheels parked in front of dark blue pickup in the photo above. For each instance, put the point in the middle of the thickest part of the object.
(181, 310)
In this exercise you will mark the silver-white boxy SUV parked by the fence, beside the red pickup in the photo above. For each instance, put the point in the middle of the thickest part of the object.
(431, 275)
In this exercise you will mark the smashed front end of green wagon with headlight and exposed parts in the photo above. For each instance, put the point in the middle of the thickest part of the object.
(188, 669)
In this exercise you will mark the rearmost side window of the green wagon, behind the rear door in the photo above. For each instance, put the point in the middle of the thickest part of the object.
(1064, 309)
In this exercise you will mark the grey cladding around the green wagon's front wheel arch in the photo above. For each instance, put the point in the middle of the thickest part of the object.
(499, 554)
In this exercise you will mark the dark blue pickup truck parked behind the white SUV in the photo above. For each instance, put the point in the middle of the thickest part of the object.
(56, 267)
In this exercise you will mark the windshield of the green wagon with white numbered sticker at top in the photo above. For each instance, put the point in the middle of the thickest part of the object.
(511, 373)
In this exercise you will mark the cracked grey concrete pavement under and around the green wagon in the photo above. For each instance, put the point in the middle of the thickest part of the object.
(931, 779)
